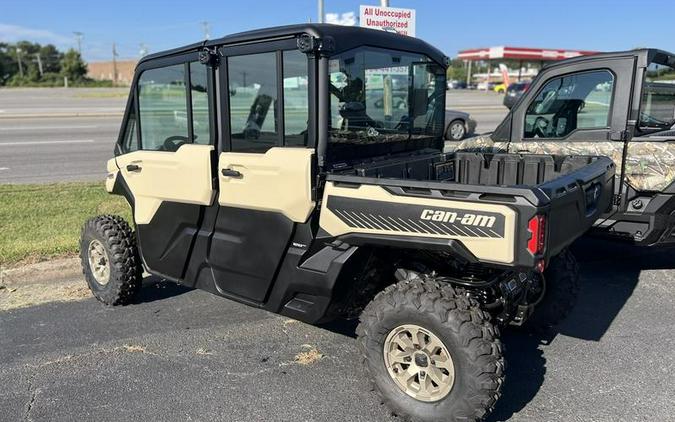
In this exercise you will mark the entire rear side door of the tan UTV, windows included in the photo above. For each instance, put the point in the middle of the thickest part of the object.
(265, 168)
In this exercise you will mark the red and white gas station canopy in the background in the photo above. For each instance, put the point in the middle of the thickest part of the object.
(520, 53)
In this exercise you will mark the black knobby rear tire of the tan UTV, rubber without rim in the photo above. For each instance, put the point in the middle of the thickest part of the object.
(473, 343)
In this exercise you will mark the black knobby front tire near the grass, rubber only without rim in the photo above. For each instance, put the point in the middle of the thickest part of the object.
(119, 242)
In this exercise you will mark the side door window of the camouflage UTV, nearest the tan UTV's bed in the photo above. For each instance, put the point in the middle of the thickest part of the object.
(571, 102)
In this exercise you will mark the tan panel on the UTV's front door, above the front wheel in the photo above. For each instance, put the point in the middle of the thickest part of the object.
(182, 176)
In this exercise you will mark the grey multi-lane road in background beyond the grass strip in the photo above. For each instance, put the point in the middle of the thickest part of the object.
(51, 135)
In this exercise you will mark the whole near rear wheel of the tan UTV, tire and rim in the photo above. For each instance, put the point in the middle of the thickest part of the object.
(441, 333)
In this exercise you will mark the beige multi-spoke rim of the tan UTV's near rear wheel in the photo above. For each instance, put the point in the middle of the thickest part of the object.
(419, 363)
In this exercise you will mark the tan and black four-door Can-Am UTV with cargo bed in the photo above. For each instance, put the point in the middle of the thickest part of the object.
(300, 170)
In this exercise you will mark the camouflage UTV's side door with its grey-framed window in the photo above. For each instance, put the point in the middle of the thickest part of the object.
(574, 109)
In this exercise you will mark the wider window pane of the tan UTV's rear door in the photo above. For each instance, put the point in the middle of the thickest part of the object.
(253, 102)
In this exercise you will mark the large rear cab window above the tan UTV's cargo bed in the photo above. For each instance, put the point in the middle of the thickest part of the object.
(384, 101)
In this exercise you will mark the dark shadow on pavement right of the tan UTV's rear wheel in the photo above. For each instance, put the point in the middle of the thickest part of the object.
(609, 272)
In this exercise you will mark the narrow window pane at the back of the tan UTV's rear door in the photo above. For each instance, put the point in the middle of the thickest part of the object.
(296, 98)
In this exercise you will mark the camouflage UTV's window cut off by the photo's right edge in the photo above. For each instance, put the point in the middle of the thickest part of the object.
(657, 112)
